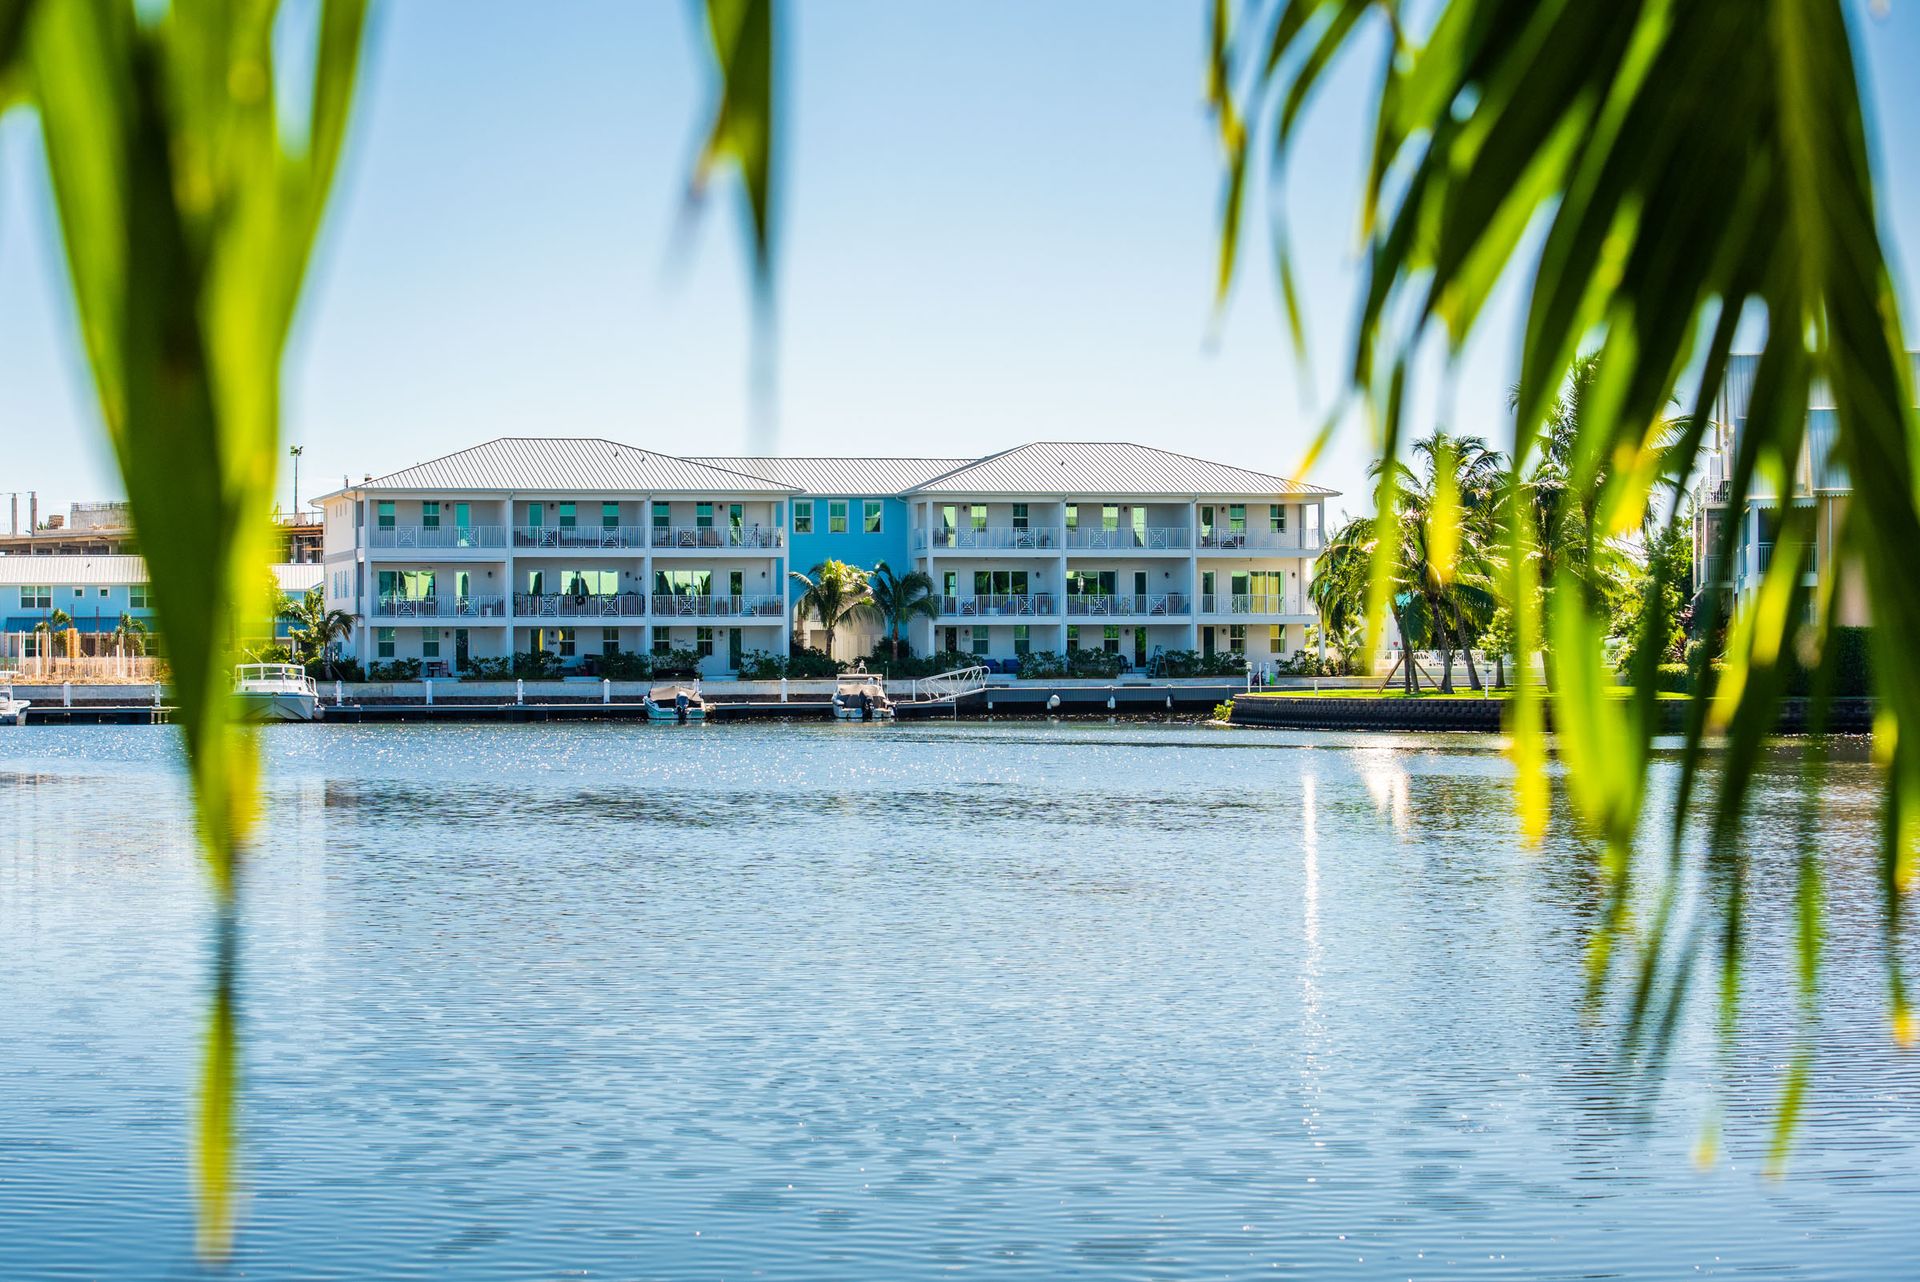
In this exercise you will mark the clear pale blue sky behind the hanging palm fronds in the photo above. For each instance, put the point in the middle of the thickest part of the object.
(999, 226)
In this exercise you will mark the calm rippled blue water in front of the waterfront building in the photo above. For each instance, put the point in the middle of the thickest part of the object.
(905, 1003)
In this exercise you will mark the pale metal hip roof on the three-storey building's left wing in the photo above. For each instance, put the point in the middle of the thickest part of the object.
(556, 463)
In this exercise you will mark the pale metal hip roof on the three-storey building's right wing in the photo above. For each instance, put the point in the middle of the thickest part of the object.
(1095, 469)
